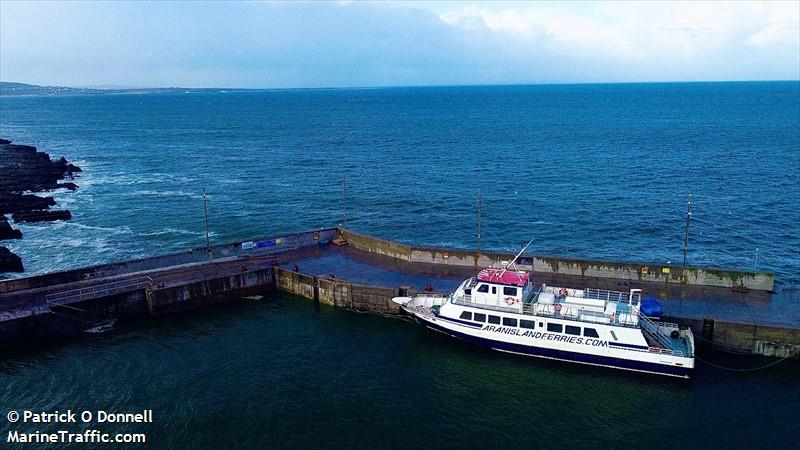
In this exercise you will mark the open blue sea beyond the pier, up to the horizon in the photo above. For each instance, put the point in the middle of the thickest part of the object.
(596, 171)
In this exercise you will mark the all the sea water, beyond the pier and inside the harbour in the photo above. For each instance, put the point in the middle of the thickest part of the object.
(596, 171)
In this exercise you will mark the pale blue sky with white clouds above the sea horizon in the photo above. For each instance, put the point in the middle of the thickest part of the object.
(362, 44)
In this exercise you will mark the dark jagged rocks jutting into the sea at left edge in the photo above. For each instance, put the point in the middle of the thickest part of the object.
(24, 169)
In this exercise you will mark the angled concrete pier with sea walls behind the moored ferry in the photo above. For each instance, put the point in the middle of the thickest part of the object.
(365, 275)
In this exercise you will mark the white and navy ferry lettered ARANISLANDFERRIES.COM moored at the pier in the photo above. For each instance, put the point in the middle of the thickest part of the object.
(500, 308)
